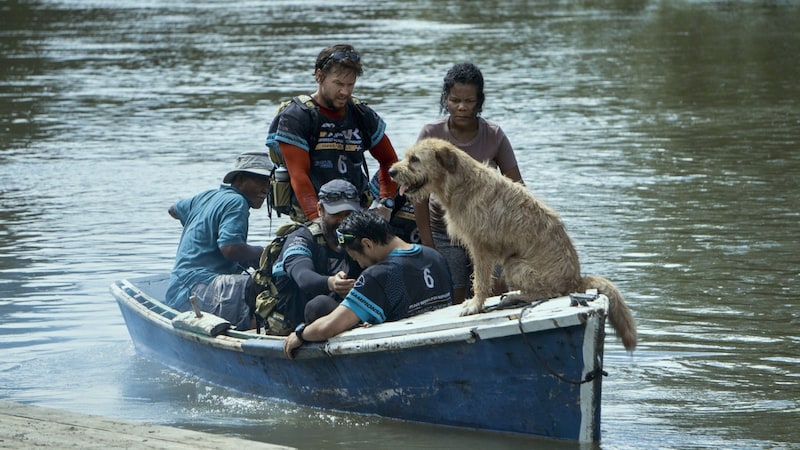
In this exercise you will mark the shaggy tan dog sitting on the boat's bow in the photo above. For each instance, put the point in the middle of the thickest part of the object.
(501, 222)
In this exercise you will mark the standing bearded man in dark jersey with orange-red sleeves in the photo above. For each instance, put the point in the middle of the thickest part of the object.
(323, 136)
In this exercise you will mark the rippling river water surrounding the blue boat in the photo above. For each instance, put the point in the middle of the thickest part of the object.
(666, 133)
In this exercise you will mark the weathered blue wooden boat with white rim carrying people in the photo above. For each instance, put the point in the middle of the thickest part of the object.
(534, 370)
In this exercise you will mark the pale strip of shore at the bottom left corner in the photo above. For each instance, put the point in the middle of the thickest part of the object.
(27, 427)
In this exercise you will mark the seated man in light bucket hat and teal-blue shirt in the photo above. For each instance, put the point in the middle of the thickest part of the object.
(213, 251)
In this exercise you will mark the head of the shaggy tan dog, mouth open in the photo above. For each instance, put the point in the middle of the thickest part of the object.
(424, 167)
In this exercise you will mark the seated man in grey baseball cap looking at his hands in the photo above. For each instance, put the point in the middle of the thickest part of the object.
(311, 264)
